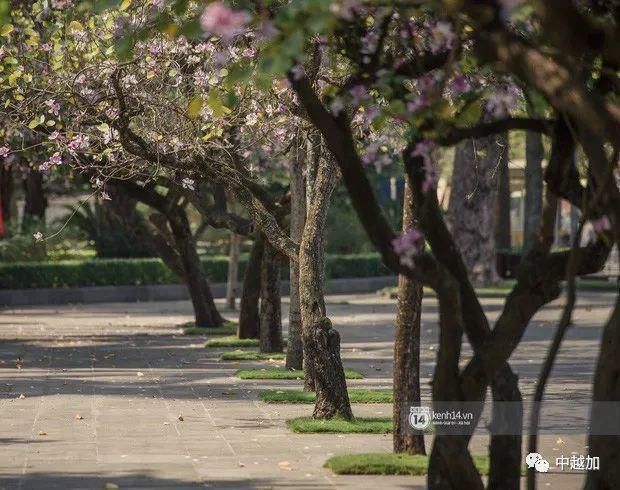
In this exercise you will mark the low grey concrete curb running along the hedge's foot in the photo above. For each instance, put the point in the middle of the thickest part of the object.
(165, 292)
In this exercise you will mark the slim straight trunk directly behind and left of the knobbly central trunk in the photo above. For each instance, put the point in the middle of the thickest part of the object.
(294, 349)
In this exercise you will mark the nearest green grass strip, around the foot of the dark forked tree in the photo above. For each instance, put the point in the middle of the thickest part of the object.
(392, 464)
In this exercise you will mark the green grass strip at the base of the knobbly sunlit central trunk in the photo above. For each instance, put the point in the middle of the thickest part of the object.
(360, 425)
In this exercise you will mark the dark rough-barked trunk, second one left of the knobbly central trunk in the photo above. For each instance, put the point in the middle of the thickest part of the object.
(270, 304)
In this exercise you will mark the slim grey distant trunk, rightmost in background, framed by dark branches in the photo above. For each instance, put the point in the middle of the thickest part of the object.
(532, 212)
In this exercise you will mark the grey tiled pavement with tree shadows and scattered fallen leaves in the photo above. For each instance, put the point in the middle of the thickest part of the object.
(105, 386)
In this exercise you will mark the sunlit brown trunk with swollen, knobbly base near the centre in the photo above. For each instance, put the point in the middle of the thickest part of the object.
(321, 341)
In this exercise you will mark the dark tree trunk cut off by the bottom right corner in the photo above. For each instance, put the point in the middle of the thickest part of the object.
(606, 389)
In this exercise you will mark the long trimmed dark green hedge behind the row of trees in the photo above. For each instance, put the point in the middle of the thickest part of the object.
(136, 272)
